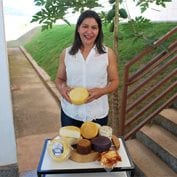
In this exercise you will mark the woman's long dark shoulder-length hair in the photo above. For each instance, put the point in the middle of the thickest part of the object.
(99, 40)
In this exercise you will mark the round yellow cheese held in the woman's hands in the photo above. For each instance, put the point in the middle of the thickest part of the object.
(79, 95)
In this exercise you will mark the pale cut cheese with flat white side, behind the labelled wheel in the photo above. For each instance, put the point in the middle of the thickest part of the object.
(70, 131)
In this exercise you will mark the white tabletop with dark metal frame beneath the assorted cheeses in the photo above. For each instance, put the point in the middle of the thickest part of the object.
(48, 166)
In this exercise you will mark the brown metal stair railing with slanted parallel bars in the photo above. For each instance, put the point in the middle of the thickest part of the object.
(152, 87)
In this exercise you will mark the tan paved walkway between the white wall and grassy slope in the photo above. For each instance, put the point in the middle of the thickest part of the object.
(36, 111)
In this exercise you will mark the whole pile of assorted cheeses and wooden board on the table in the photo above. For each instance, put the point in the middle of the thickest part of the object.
(91, 142)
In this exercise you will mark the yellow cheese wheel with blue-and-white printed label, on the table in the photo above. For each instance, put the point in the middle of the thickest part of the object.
(59, 150)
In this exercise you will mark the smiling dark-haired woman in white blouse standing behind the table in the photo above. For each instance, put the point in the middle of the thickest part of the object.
(90, 64)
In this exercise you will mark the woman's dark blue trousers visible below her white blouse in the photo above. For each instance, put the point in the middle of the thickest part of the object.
(66, 120)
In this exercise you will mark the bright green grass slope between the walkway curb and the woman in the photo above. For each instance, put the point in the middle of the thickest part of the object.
(46, 47)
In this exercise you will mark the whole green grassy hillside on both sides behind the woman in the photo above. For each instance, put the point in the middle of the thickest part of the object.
(45, 47)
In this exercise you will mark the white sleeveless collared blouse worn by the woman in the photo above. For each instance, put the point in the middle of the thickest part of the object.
(89, 73)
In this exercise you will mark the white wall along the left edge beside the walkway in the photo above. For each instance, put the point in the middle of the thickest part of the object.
(7, 136)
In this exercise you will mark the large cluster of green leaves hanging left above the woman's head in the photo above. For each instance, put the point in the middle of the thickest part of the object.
(52, 10)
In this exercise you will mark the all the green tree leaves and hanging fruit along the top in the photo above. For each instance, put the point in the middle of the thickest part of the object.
(52, 10)
